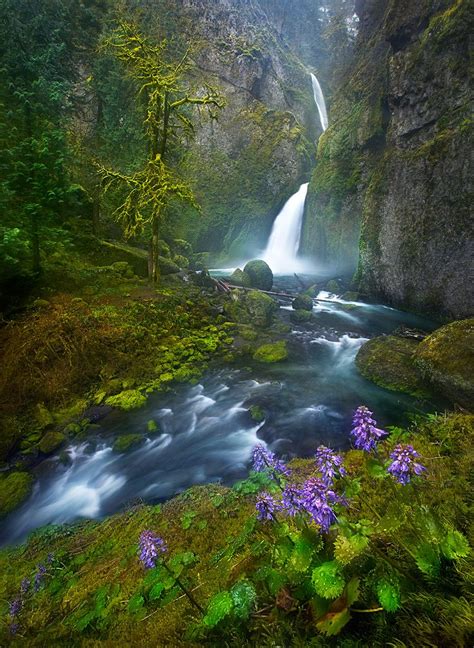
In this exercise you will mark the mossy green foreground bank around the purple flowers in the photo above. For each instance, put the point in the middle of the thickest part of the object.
(97, 592)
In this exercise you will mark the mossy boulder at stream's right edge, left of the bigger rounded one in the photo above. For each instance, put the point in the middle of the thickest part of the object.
(388, 362)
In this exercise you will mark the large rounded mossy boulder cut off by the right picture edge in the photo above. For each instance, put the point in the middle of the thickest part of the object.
(446, 359)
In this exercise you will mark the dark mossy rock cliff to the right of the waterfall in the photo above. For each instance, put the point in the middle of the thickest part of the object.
(390, 192)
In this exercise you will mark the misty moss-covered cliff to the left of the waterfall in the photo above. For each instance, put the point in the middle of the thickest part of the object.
(248, 161)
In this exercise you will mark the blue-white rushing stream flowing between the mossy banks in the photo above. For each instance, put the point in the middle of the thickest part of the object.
(206, 433)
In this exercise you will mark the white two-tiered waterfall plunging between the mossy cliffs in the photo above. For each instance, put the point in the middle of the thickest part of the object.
(281, 252)
